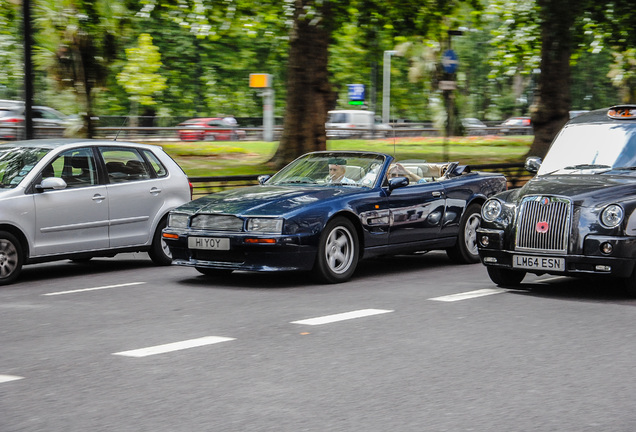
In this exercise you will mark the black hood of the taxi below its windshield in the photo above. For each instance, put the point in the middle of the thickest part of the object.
(585, 190)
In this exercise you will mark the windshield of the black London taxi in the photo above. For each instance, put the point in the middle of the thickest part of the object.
(591, 148)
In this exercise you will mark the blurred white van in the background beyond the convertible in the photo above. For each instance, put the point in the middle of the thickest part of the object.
(354, 123)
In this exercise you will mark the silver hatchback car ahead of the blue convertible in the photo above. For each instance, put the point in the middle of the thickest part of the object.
(77, 199)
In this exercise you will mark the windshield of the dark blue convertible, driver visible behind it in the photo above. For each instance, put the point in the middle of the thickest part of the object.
(331, 169)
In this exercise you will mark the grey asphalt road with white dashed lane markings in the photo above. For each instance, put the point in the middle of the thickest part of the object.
(121, 345)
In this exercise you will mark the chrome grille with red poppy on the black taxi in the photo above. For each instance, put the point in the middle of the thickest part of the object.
(543, 224)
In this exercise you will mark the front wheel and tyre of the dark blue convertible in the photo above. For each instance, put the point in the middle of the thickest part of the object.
(338, 252)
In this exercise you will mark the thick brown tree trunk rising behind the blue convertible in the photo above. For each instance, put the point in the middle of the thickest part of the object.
(309, 93)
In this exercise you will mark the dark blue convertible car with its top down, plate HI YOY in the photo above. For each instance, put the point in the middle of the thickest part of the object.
(327, 210)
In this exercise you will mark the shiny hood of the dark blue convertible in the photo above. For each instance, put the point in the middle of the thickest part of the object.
(263, 200)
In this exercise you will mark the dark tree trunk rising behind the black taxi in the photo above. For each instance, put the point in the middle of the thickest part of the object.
(552, 104)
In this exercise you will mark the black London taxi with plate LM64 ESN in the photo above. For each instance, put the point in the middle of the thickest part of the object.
(576, 216)
